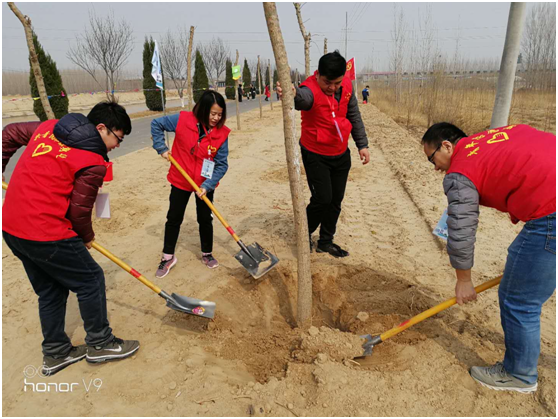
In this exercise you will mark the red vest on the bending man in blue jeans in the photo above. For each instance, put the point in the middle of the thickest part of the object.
(513, 169)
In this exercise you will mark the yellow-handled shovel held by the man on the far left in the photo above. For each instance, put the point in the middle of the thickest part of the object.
(176, 302)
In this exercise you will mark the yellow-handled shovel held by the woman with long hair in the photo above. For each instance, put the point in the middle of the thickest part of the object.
(255, 259)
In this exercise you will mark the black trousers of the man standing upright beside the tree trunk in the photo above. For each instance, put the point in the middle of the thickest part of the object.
(327, 179)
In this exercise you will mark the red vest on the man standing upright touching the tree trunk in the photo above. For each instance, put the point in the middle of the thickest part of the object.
(319, 133)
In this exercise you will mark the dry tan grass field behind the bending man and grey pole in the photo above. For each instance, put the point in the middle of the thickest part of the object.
(467, 103)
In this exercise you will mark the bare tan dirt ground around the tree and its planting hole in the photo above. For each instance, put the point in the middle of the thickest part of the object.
(251, 360)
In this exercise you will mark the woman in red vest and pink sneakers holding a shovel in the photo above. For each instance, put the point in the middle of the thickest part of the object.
(201, 148)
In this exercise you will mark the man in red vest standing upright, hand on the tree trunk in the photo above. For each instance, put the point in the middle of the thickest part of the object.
(329, 115)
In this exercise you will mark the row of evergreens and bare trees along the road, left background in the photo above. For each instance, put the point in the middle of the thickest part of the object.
(105, 46)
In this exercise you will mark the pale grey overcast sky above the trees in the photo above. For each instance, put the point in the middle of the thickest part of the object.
(480, 27)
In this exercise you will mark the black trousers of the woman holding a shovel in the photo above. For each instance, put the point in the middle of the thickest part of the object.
(178, 201)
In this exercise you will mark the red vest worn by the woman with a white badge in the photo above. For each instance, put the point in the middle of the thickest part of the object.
(190, 153)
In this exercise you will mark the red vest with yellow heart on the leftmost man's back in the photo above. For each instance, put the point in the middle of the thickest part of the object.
(38, 198)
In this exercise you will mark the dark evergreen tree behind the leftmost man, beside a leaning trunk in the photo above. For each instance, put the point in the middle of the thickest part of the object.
(53, 84)
